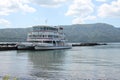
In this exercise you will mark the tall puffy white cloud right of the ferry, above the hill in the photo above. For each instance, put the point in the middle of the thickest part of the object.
(81, 10)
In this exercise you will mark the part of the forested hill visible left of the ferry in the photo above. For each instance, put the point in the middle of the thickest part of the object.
(14, 34)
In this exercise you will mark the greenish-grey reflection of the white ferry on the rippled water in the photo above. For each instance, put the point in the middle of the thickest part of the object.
(46, 63)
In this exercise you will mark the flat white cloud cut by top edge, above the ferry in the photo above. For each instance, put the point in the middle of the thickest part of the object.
(49, 3)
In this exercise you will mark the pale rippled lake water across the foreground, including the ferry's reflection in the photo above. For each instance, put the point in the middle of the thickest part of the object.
(78, 63)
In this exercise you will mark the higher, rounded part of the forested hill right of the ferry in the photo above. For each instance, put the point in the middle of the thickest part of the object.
(99, 32)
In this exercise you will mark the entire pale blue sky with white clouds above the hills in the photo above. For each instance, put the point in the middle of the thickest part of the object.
(27, 13)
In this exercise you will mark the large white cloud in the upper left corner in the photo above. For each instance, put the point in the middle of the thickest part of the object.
(9, 6)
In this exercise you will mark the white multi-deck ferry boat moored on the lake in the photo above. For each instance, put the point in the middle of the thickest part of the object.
(46, 38)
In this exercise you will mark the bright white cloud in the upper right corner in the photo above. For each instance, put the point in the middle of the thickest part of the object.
(110, 10)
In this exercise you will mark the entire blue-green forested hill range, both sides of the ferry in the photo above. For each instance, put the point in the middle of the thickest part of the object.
(99, 32)
